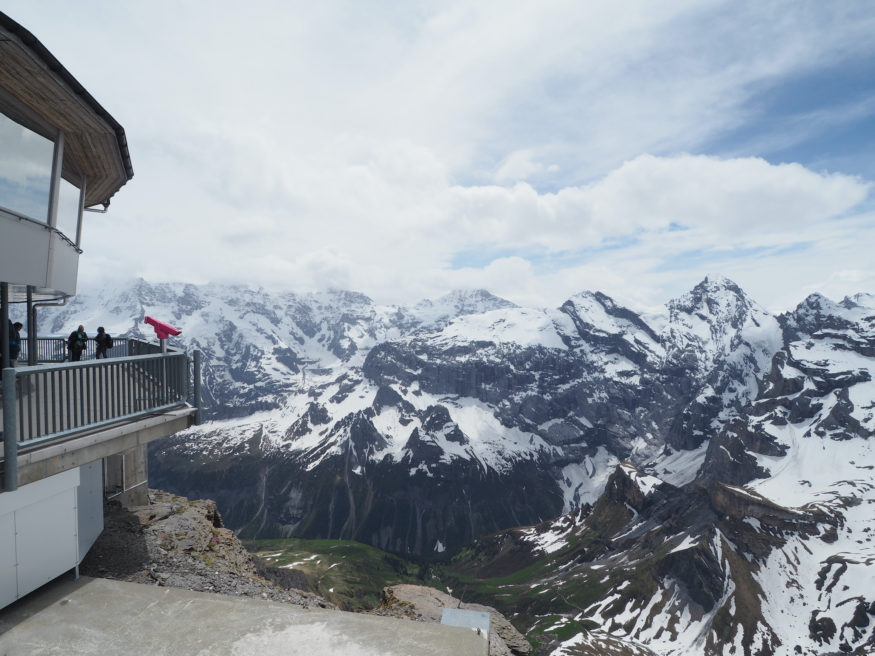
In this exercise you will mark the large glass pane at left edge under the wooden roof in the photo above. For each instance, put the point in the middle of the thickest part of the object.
(25, 170)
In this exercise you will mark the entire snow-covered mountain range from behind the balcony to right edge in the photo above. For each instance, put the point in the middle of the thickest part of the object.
(713, 463)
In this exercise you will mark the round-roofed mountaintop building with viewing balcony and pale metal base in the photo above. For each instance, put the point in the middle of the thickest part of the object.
(73, 432)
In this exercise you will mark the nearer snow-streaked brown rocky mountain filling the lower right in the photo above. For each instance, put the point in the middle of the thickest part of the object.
(769, 550)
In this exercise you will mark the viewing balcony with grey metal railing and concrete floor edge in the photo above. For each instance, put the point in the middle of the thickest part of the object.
(66, 414)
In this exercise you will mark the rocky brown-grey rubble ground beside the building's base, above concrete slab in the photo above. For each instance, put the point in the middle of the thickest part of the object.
(180, 543)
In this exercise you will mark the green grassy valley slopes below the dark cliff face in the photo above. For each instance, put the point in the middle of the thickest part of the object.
(539, 594)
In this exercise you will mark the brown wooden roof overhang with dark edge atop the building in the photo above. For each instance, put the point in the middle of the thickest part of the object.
(94, 143)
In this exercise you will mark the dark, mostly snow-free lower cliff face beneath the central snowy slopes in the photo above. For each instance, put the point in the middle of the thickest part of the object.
(406, 509)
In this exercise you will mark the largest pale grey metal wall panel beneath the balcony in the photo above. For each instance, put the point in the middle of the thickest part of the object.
(47, 542)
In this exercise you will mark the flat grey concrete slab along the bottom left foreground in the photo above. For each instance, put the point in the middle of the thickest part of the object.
(100, 616)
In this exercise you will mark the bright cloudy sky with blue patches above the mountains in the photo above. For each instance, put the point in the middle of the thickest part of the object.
(537, 149)
